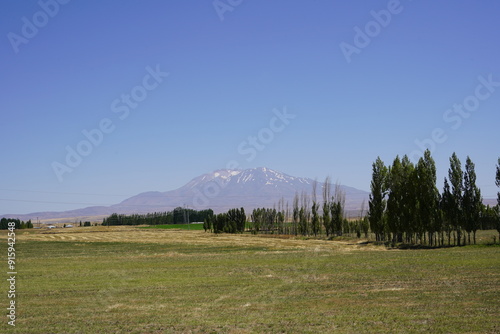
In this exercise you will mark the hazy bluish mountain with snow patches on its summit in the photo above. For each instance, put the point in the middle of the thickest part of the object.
(220, 190)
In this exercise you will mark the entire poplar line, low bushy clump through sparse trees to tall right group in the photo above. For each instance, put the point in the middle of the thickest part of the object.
(405, 206)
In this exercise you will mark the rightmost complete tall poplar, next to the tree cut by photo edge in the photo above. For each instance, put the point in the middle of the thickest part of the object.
(472, 201)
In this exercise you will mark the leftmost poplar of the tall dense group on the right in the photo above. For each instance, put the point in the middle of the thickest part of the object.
(377, 200)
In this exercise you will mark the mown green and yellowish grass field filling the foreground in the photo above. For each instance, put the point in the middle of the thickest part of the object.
(131, 280)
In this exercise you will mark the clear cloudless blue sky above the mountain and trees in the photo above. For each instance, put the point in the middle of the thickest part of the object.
(350, 80)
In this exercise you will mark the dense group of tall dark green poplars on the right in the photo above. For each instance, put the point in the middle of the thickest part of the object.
(406, 206)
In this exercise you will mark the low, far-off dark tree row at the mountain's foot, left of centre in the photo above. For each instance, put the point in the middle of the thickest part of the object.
(177, 216)
